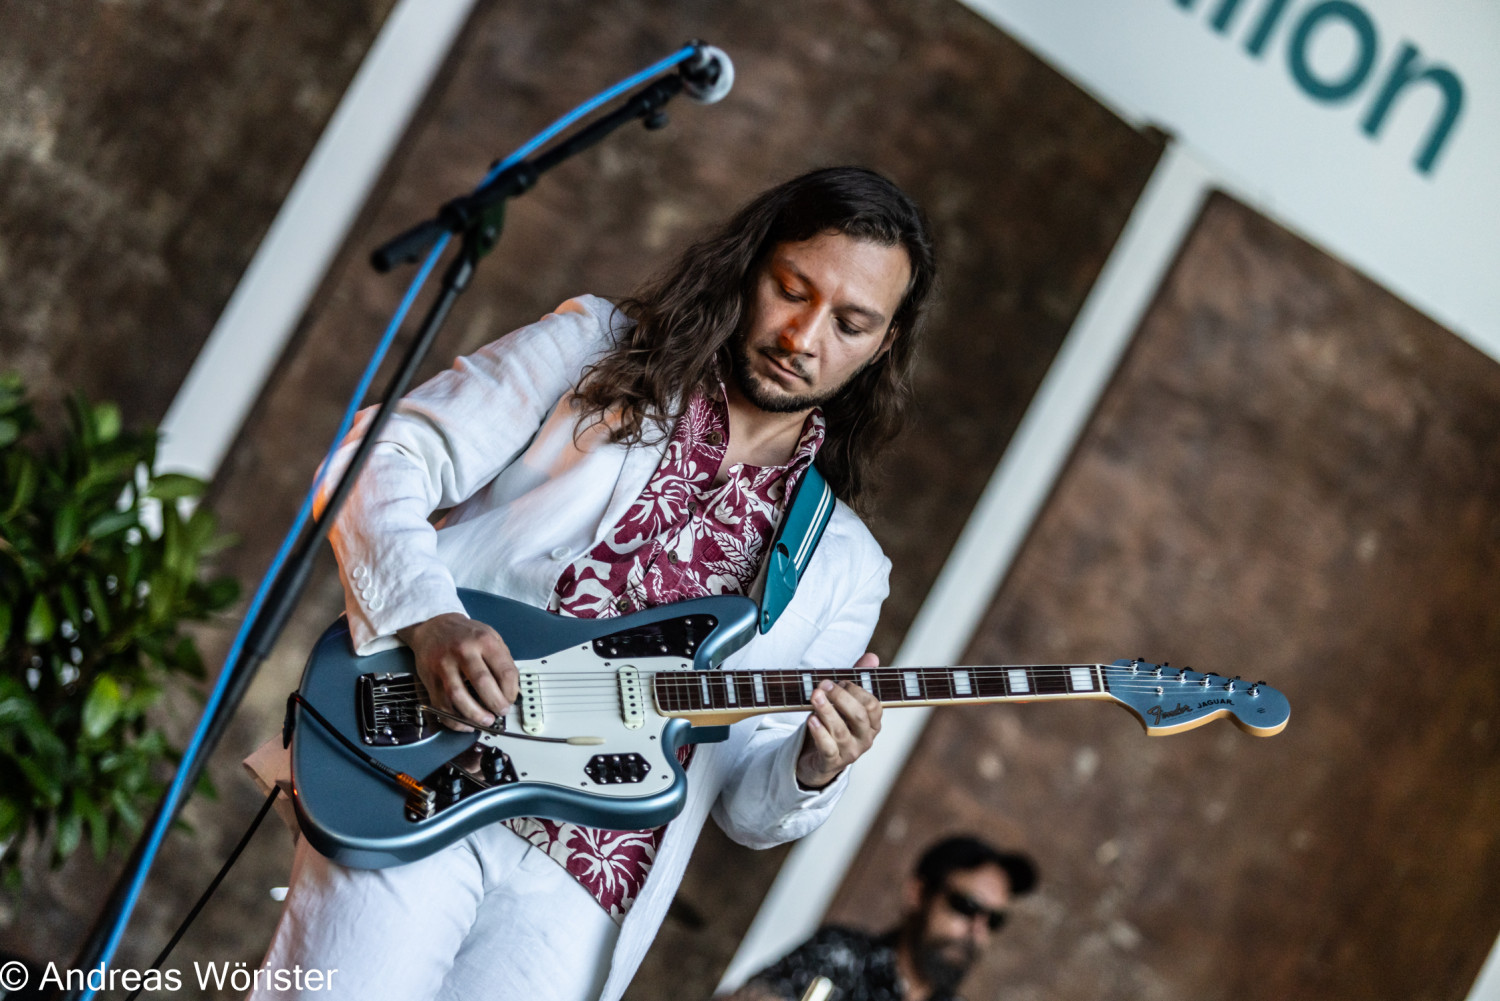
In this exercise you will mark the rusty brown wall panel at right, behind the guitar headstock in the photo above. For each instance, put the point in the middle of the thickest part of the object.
(1294, 478)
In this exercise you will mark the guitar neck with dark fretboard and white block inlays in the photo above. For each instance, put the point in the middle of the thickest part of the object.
(722, 697)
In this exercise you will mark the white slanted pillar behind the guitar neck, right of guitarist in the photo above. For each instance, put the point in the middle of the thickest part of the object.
(980, 561)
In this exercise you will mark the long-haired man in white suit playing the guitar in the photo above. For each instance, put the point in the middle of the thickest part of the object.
(601, 461)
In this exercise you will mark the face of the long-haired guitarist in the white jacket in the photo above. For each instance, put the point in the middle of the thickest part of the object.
(821, 313)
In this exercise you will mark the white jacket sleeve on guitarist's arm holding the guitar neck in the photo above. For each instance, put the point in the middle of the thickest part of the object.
(761, 802)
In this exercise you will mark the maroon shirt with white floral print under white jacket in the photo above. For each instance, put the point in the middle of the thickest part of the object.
(685, 537)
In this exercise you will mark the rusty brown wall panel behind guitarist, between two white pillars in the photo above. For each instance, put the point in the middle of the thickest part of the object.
(1027, 179)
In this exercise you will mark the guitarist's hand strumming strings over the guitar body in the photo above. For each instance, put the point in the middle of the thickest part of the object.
(452, 649)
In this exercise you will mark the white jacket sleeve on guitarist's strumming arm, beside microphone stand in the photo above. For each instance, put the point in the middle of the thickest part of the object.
(445, 442)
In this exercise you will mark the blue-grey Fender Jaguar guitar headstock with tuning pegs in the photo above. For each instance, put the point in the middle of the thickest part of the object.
(1169, 700)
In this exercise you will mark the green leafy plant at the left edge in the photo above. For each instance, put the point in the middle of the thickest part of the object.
(91, 625)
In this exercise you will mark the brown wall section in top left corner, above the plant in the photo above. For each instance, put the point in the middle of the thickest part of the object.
(145, 149)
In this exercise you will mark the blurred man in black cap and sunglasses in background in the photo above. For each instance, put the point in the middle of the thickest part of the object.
(953, 906)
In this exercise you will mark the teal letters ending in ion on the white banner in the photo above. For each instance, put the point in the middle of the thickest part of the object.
(1406, 73)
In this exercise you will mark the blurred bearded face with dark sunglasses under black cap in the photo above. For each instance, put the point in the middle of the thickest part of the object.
(953, 927)
